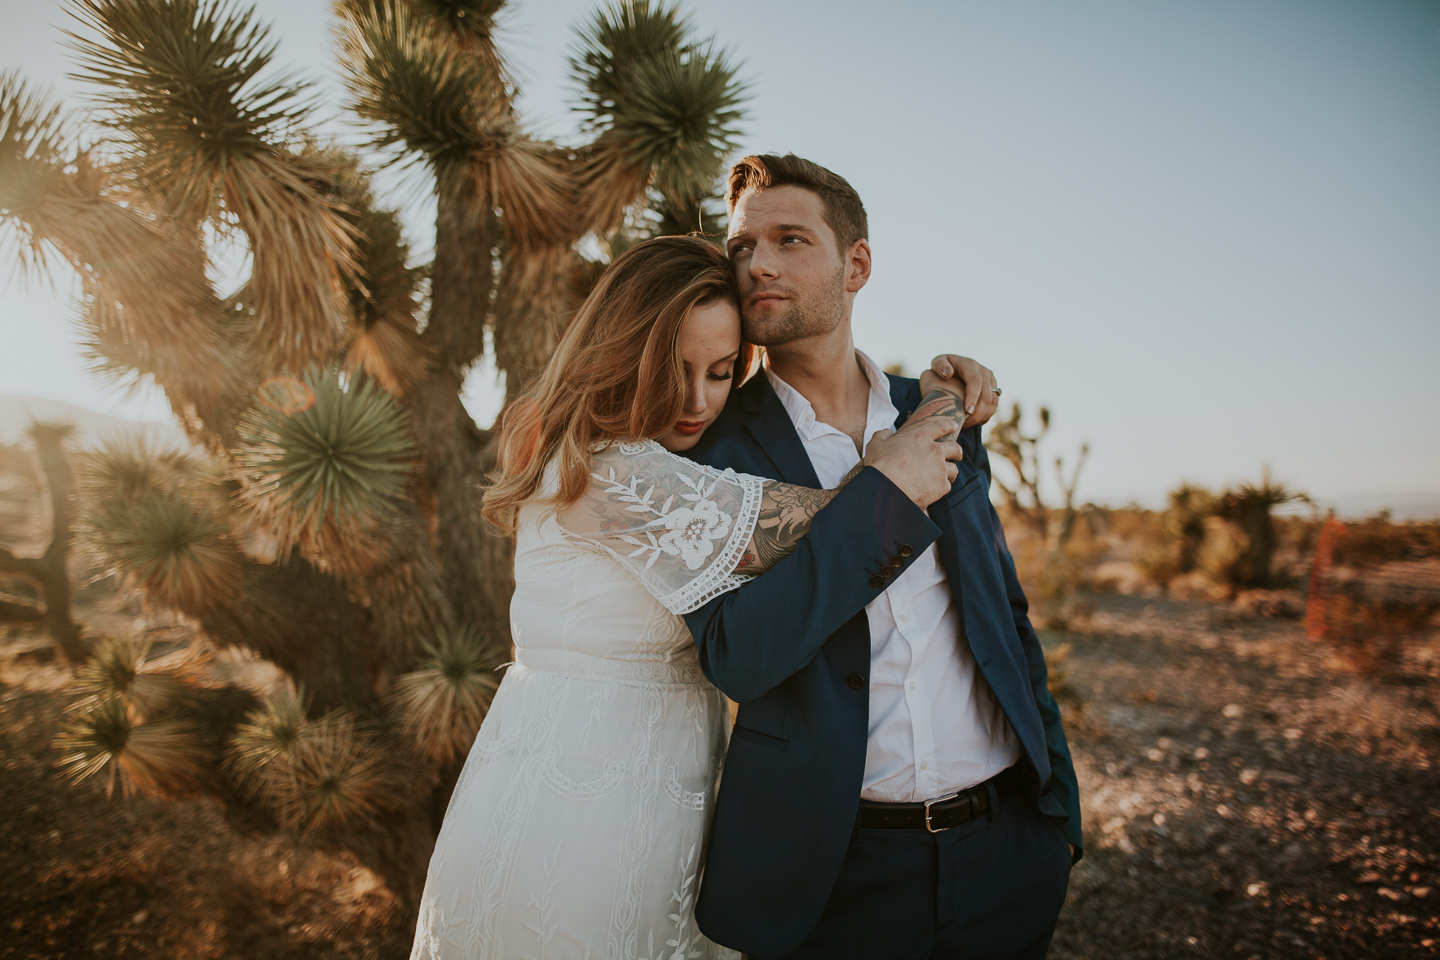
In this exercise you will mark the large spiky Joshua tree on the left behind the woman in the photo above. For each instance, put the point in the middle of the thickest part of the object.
(332, 525)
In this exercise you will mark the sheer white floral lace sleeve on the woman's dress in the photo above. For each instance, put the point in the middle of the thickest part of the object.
(678, 526)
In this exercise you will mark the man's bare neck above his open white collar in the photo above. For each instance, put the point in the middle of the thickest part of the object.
(826, 372)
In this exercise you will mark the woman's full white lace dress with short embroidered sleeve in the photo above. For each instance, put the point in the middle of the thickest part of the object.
(577, 830)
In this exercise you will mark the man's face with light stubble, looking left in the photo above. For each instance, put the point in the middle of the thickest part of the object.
(793, 277)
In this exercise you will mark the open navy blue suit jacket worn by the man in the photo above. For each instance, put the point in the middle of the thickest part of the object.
(793, 648)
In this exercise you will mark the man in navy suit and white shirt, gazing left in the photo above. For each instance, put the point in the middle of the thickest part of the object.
(898, 782)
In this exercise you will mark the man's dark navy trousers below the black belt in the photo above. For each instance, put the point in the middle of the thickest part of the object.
(987, 890)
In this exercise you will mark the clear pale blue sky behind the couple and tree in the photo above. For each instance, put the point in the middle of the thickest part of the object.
(1205, 232)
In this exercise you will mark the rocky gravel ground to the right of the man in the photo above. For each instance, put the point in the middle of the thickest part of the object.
(1246, 795)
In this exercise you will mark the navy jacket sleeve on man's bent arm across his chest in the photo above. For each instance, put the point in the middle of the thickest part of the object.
(755, 638)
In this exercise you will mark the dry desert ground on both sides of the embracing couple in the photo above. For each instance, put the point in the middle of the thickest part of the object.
(1248, 792)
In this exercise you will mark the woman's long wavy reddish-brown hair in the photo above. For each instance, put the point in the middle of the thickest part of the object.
(617, 373)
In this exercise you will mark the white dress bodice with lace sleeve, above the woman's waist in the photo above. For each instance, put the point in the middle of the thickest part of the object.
(607, 578)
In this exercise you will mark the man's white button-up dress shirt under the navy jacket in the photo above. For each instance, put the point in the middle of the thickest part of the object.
(935, 726)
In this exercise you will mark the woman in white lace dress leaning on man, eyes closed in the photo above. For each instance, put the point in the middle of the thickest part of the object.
(578, 824)
